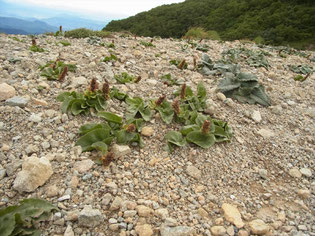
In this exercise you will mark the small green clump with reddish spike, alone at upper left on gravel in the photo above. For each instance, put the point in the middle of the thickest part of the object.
(56, 70)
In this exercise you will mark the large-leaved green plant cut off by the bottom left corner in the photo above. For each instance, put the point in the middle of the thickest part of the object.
(23, 219)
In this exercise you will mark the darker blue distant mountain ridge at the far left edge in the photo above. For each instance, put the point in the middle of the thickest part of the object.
(11, 25)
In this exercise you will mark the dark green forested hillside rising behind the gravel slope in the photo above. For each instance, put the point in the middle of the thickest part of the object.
(278, 22)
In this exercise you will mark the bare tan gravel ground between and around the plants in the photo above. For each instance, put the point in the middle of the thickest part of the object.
(267, 171)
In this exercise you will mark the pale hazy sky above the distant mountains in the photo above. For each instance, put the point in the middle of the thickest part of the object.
(93, 8)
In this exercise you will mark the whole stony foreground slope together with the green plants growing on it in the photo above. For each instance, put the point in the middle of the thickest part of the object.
(260, 181)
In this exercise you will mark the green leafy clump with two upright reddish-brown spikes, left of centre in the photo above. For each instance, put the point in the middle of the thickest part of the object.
(81, 103)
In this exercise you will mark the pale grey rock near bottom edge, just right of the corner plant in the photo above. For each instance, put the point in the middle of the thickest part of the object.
(89, 217)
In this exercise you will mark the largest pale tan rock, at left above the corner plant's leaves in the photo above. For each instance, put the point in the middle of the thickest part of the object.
(35, 172)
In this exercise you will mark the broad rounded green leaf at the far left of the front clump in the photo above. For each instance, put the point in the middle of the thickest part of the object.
(91, 137)
